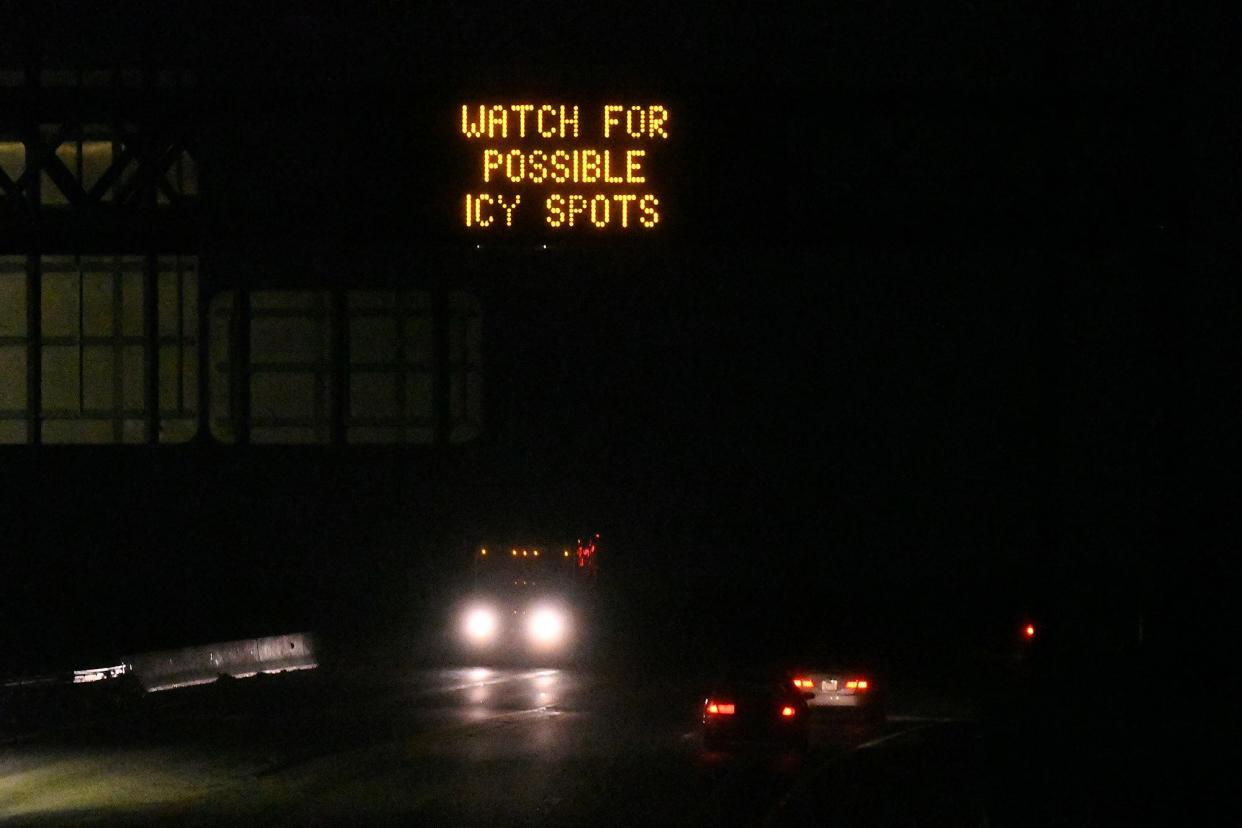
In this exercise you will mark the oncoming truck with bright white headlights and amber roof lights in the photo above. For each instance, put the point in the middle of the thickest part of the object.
(528, 603)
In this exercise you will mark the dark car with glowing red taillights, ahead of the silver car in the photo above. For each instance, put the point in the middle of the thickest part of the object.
(755, 712)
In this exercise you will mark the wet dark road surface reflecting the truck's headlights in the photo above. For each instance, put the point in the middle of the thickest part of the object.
(432, 747)
